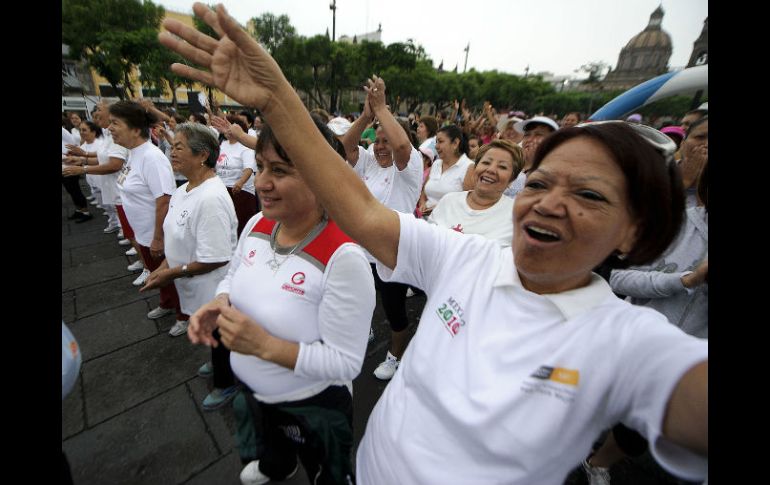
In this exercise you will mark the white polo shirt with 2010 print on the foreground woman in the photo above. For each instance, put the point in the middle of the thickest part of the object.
(501, 385)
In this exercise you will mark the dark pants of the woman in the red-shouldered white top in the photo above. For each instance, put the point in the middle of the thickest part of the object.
(319, 430)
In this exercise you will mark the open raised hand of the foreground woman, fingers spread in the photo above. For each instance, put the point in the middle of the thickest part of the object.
(236, 63)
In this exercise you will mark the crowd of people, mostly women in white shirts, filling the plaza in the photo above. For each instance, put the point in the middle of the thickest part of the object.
(270, 235)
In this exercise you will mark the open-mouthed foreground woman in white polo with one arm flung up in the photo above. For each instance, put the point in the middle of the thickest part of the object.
(573, 358)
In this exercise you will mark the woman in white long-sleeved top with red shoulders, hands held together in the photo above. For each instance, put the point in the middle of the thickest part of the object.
(294, 309)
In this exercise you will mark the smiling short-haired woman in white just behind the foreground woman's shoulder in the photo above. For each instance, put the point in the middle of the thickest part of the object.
(484, 210)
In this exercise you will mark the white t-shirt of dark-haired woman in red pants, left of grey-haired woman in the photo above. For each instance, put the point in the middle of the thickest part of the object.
(149, 177)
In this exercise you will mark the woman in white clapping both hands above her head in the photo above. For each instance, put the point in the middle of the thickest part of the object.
(392, 170)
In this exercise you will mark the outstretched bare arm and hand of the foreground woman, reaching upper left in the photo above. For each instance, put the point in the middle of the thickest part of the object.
(237, 65)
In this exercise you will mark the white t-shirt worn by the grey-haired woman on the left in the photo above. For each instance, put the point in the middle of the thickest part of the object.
(200, 226)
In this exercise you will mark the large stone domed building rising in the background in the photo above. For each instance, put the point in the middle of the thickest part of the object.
(645, 56)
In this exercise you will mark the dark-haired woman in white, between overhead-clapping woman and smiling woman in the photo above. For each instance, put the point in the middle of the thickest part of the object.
(448, 171)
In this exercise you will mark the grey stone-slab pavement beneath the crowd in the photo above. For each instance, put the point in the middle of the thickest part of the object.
(134, 416)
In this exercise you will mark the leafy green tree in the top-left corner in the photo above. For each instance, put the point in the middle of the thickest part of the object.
(113, 36)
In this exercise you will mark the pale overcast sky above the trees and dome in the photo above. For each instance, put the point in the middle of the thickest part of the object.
(508, 35)
